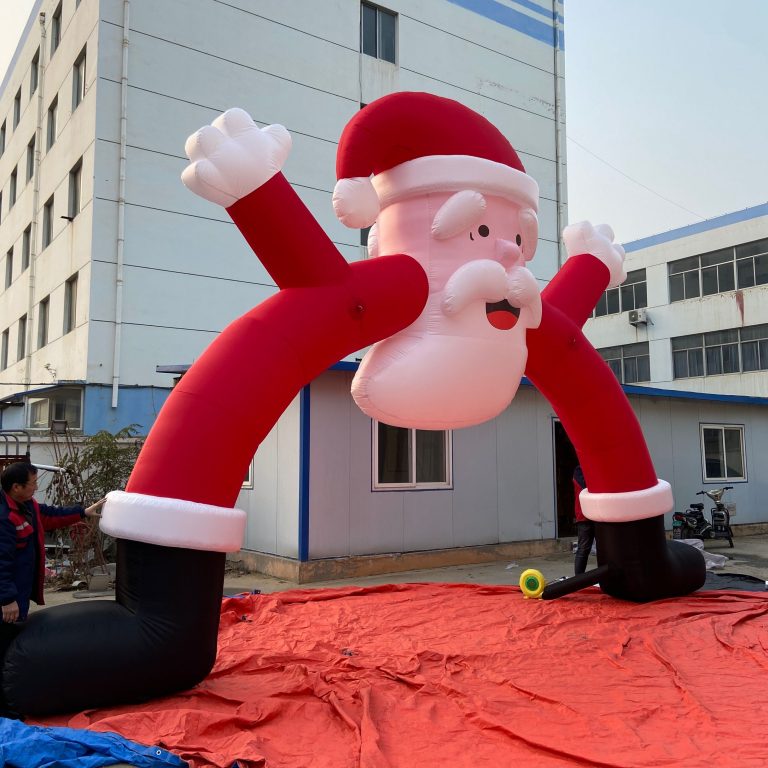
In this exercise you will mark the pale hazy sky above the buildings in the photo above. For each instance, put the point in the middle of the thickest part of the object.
(666, 106)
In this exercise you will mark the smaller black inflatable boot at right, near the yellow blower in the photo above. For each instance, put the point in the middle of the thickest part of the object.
(643, 565)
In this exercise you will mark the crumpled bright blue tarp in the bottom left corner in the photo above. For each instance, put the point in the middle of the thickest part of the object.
(29, 746)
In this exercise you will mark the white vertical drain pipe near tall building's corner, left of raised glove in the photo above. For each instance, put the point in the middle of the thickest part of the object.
(121, 209)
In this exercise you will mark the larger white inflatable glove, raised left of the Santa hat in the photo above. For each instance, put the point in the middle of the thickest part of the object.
(233, 156)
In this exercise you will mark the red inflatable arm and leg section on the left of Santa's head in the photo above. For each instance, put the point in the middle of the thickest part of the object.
(326, 309)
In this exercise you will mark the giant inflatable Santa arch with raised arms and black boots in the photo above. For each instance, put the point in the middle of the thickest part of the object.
(456, 318)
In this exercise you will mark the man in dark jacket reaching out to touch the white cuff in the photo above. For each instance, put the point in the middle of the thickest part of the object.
(23, 523)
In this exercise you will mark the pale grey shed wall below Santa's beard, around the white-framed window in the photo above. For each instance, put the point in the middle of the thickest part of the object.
(502, 487)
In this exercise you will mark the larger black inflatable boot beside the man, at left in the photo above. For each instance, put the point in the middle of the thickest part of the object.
(158, 637)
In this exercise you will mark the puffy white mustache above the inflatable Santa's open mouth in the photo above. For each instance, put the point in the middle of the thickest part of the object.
(487, 280)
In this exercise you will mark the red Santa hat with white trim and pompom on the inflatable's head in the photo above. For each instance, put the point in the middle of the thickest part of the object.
(414, 143)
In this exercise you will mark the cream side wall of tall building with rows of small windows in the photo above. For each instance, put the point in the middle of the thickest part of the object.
(70, 249)
